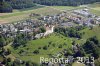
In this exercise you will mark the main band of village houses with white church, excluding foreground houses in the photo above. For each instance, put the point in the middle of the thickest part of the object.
(64, 19)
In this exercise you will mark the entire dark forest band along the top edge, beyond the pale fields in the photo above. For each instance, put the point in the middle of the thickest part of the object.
(8, 5)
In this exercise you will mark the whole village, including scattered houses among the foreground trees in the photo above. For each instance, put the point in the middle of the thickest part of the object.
(80, 17)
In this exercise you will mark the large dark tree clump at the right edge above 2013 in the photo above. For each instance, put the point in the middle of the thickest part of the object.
(91, 46)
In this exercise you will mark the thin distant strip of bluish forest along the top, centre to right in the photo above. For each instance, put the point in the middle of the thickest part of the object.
(65, 2)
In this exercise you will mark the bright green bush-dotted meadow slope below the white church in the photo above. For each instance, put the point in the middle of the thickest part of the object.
(35, 44)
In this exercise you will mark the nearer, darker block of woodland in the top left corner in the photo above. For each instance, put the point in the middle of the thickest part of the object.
(9, 5)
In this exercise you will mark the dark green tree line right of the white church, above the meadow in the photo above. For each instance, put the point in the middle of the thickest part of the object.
(70, 32)
